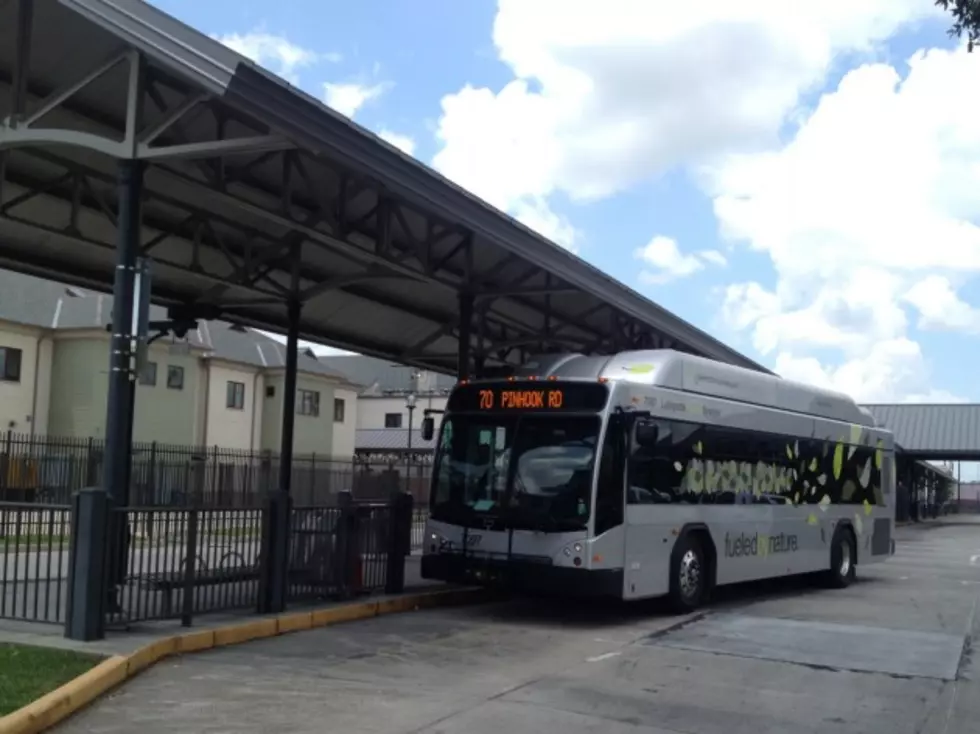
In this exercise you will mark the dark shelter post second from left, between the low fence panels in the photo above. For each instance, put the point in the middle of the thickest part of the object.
(276, 540)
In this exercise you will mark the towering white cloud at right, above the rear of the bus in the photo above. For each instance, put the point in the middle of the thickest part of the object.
(866, 213)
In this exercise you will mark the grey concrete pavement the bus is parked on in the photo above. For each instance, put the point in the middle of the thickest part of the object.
(890, 654)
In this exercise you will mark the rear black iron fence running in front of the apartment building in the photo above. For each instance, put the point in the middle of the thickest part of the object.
(49, 470)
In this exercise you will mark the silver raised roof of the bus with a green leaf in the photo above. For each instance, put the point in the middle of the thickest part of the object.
(688, 373)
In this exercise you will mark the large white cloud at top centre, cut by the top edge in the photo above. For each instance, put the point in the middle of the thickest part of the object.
(605, 94)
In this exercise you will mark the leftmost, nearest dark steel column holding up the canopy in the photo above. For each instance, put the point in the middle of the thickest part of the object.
(119, 427)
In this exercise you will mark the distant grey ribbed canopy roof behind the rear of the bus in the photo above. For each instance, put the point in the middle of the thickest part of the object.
(937, 431)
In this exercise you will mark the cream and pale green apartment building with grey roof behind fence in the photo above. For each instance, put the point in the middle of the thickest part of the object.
(222, 386)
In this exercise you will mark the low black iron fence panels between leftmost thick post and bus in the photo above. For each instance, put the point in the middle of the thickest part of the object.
(180, 563)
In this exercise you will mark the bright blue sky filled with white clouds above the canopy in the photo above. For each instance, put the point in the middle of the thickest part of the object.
(798, 179)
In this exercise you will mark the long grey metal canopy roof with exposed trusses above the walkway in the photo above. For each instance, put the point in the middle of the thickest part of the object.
(252, 187)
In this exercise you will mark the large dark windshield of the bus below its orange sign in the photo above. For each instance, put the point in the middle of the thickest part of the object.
(527, 471)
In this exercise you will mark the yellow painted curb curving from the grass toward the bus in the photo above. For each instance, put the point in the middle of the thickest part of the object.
(61, 703)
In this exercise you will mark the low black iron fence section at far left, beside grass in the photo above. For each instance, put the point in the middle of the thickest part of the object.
(34, 546)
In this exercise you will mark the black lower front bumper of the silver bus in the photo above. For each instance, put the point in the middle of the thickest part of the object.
(522, 575)
